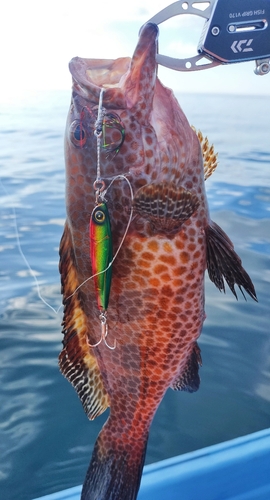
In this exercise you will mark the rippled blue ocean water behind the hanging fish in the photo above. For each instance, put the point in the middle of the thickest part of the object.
(45, 438)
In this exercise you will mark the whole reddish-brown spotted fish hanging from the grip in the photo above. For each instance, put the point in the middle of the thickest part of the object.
(135, 153)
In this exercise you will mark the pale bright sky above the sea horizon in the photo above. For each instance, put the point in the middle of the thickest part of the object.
(38, 38)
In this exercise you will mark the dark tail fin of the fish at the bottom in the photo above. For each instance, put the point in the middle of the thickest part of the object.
(116, 467)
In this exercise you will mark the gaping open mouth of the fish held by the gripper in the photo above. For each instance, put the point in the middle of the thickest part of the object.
(128, 78)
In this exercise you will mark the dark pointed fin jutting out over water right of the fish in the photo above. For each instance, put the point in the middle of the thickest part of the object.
(223, 262)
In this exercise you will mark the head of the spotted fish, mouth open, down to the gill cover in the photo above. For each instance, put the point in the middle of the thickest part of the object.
(145, 132)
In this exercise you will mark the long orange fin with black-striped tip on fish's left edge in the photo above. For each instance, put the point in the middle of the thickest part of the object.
(77, 361)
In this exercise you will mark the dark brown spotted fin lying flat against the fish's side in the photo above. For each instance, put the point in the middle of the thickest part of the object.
(167, 207)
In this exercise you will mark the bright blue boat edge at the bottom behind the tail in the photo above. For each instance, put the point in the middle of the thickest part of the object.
(238, 469)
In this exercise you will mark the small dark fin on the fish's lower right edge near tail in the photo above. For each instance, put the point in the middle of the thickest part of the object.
(189, 379)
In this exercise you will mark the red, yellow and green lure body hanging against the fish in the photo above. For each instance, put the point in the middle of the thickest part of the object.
(101, 254)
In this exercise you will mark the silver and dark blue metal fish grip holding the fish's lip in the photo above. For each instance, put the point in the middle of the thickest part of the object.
(234, 31)
